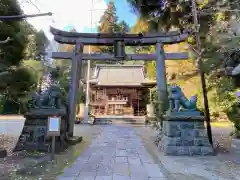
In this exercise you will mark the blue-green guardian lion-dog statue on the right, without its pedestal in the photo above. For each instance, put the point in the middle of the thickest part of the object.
(178, 101)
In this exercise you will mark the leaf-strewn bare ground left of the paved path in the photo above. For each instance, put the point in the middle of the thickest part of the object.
(23, 165)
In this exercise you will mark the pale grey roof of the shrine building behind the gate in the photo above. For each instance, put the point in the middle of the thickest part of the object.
(121, 75)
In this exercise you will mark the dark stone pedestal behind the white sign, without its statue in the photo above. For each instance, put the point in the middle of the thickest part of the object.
(34, 134)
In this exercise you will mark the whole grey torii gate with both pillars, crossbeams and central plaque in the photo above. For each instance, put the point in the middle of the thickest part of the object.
(119, 41)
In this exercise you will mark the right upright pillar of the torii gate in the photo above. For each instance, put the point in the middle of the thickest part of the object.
(161, 78)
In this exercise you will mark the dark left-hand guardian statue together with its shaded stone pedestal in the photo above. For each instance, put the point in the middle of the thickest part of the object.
(34, 134)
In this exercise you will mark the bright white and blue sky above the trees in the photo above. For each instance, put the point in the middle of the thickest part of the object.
(76, 13)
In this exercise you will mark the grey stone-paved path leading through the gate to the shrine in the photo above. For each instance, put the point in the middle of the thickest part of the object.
(116, 154)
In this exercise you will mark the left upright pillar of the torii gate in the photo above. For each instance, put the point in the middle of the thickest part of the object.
(75, 76)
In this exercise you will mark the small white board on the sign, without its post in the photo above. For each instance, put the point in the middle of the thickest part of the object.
(54, 126)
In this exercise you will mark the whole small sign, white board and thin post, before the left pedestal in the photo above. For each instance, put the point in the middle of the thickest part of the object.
(53, 130)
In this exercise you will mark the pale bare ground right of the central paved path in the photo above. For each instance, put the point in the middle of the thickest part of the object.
(220, 167)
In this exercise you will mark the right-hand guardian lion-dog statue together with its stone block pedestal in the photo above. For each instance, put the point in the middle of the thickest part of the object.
(183, 131)
